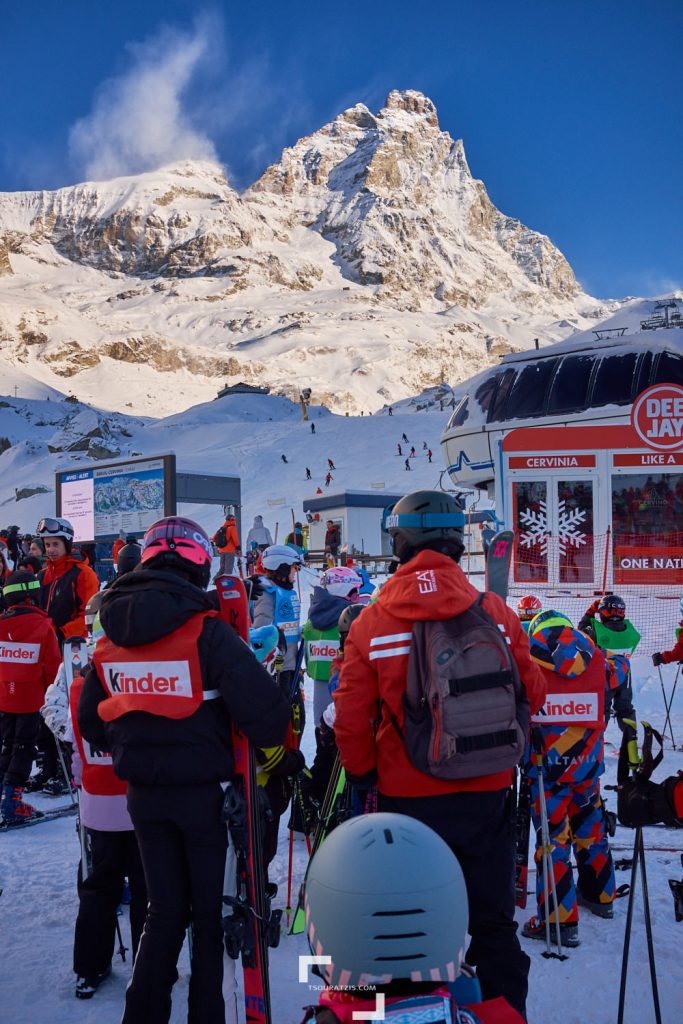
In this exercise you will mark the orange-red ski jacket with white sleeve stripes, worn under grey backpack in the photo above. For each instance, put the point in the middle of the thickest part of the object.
(431, 587)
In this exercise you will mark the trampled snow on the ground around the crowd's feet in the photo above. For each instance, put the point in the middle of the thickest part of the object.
(39, 905)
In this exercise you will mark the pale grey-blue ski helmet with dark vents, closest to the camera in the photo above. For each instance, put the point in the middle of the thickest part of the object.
(386, 899)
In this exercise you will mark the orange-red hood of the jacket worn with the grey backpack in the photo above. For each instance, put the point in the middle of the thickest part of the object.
(431, 587)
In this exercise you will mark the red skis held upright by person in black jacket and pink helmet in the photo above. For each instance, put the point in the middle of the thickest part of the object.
(252, 926)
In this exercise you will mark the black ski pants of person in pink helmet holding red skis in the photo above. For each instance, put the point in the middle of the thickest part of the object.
(183, 844)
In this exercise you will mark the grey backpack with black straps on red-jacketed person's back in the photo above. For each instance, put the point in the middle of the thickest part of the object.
(465, 709)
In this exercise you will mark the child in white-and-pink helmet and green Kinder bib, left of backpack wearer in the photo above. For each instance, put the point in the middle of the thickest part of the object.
(338, 588)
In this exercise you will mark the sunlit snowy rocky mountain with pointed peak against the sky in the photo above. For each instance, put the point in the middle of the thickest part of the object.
(367, 264)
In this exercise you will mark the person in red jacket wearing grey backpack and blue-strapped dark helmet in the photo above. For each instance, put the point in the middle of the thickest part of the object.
(474, 815)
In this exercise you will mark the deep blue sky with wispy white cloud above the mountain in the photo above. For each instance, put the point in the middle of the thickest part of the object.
(570, 110)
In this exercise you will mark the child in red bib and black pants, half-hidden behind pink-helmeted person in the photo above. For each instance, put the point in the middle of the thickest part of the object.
(112, 851)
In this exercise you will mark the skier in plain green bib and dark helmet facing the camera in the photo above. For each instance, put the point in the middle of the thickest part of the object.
(607, 625)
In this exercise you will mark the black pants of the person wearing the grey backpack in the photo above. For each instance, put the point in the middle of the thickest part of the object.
(480, 830)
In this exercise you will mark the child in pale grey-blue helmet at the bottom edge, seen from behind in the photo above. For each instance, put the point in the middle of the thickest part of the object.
(393, 869)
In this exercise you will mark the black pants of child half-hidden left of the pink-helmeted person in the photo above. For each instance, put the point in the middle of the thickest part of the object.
(114, 857)
